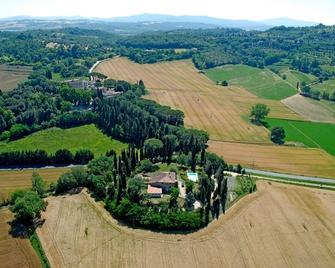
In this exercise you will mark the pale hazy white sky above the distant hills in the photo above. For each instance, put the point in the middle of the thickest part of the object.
(312, 10)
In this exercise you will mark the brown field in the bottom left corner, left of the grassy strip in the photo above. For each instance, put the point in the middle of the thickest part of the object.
(14, 252)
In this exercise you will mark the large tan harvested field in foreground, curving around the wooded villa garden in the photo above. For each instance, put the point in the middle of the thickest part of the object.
(278, 226)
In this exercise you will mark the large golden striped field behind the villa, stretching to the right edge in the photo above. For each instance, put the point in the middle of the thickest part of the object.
(223, 113)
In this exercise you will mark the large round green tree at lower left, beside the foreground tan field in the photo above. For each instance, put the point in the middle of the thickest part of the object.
(28, 207)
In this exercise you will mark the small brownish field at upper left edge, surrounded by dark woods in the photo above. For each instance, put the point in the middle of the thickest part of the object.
(10, 76)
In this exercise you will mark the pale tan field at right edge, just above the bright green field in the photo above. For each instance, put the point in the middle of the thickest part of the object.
(312, 110)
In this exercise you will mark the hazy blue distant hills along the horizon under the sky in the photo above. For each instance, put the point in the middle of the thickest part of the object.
(142, 23)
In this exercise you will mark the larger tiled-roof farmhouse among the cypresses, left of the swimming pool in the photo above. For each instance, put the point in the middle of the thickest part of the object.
(164, 180)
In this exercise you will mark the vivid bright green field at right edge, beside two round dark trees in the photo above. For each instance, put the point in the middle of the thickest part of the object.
(311, 134)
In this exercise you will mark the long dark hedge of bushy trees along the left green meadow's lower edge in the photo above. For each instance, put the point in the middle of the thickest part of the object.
(41, 157)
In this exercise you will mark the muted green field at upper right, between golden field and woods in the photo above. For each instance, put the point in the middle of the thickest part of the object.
(262, 82)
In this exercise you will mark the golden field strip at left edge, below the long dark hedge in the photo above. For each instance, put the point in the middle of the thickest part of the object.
(10, 180)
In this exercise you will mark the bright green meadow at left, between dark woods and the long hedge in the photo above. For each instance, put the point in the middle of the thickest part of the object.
(50, 140)
